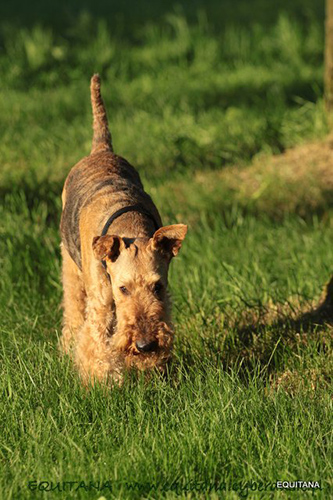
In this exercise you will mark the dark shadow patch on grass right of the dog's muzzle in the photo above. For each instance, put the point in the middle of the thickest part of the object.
(265, 344)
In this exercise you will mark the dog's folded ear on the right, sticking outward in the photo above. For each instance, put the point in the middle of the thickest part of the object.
(168, 239)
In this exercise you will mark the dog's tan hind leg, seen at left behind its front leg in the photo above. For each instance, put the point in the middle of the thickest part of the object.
(74, 301)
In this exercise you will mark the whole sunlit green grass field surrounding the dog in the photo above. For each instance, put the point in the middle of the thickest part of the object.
(200, 98)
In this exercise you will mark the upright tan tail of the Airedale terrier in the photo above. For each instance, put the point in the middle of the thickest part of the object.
(101, 136)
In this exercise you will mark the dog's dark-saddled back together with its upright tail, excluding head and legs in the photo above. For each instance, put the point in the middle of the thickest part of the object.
(102, 176)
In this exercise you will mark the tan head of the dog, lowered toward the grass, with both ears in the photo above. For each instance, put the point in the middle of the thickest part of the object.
(138, 270)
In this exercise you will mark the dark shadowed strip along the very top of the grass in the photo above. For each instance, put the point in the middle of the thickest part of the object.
(127, 18)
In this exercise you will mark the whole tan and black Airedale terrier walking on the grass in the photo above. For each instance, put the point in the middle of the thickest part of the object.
(116, 256)
